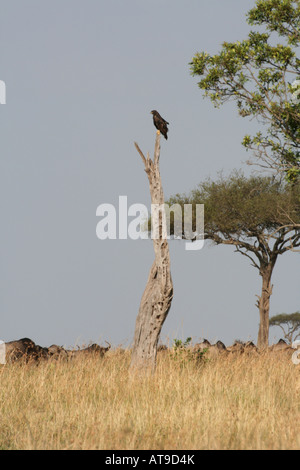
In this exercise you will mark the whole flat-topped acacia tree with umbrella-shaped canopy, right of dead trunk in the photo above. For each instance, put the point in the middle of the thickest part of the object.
(254, 216)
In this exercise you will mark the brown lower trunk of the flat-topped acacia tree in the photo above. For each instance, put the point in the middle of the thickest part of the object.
(263, 305)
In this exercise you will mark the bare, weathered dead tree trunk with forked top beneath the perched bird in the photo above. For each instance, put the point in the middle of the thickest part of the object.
(158, 294)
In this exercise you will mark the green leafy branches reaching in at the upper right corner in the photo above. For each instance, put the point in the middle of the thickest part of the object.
(264, 81)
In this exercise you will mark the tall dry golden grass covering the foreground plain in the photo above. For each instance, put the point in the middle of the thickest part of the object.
(234, 402)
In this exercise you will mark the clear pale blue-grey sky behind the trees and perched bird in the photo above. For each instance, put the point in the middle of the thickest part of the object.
(82, 78)
